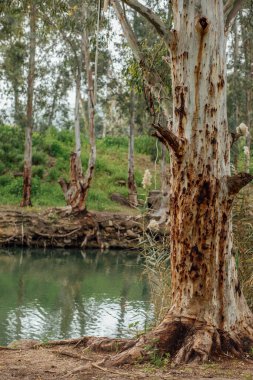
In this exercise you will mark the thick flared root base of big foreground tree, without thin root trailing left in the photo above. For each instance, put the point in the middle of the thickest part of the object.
(186, 342)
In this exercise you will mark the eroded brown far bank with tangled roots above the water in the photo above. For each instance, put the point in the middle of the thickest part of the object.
(59, 228)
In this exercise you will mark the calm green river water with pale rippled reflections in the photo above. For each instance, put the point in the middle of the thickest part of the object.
(57, 294)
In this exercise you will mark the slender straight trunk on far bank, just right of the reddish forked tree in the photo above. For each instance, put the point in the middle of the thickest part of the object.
(132, 189)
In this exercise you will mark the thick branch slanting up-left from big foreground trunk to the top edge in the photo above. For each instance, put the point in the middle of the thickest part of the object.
(154, 20)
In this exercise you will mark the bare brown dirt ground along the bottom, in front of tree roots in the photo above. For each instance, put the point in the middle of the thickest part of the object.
(78, 363)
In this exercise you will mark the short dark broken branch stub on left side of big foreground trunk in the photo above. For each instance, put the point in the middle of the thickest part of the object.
(169, 139)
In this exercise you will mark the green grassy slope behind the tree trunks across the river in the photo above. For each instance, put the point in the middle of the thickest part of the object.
(51, 152)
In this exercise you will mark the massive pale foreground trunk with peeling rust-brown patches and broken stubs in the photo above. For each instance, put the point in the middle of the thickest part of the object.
(208, 315)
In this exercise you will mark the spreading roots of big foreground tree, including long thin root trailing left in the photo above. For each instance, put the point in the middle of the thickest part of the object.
(185, 340)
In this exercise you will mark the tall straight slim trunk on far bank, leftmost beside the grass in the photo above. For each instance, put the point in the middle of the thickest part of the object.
(27, 175)
